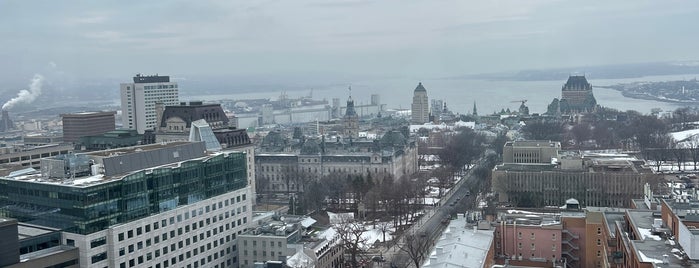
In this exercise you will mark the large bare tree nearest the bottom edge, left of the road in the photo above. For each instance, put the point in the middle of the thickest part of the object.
(350, 231)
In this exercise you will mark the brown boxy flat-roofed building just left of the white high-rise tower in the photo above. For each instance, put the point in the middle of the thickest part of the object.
(79, 125)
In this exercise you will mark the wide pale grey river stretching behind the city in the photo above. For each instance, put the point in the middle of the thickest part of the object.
(460, 94)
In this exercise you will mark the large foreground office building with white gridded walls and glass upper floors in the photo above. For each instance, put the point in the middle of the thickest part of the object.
(158, 205)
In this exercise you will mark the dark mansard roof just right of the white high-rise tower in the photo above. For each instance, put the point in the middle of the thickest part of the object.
(194, 112)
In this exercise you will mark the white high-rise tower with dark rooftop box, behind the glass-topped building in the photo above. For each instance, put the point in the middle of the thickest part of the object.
(138, 100)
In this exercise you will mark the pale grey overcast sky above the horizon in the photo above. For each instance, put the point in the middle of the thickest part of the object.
(427, 38)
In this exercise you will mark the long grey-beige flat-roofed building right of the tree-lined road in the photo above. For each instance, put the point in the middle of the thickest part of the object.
(606, 180)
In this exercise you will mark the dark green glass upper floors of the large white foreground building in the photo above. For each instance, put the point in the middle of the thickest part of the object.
(92, 208)
